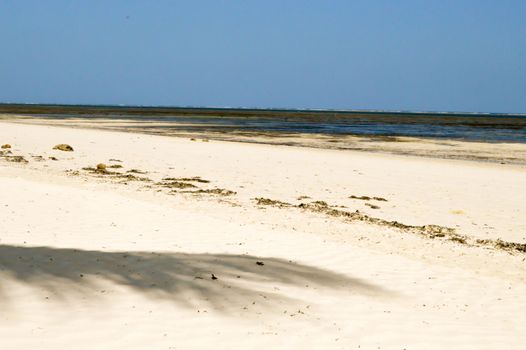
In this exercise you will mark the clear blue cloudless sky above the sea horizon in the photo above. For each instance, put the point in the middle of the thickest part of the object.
(442, 55)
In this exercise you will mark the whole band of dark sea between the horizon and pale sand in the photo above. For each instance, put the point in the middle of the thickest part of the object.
(486, 127)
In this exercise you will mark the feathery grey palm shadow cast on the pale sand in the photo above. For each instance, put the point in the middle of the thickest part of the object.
(178, 277)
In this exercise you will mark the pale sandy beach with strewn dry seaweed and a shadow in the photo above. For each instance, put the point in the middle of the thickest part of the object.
(142, 241)
